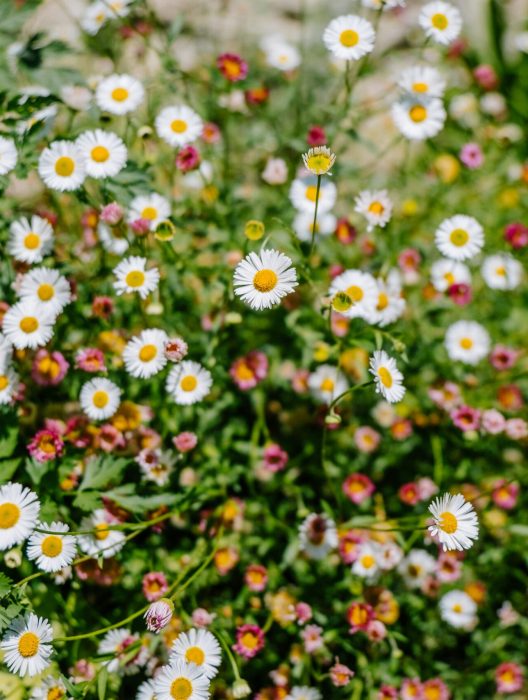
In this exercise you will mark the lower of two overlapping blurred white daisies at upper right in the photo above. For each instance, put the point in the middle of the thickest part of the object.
(419, 119)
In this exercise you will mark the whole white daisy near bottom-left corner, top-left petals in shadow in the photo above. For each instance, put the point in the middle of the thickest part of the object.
(27, 645)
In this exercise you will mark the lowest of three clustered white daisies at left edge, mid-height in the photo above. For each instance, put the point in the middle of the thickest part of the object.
(26, 326)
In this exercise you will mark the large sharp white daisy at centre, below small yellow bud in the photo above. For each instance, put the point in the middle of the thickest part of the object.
(263, 279)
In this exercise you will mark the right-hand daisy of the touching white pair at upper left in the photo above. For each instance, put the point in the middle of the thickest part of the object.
(104, 153)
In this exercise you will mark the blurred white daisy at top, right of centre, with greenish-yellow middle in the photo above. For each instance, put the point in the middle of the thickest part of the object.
(349, 37)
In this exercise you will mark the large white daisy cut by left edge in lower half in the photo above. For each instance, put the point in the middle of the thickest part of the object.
(19, 509)
